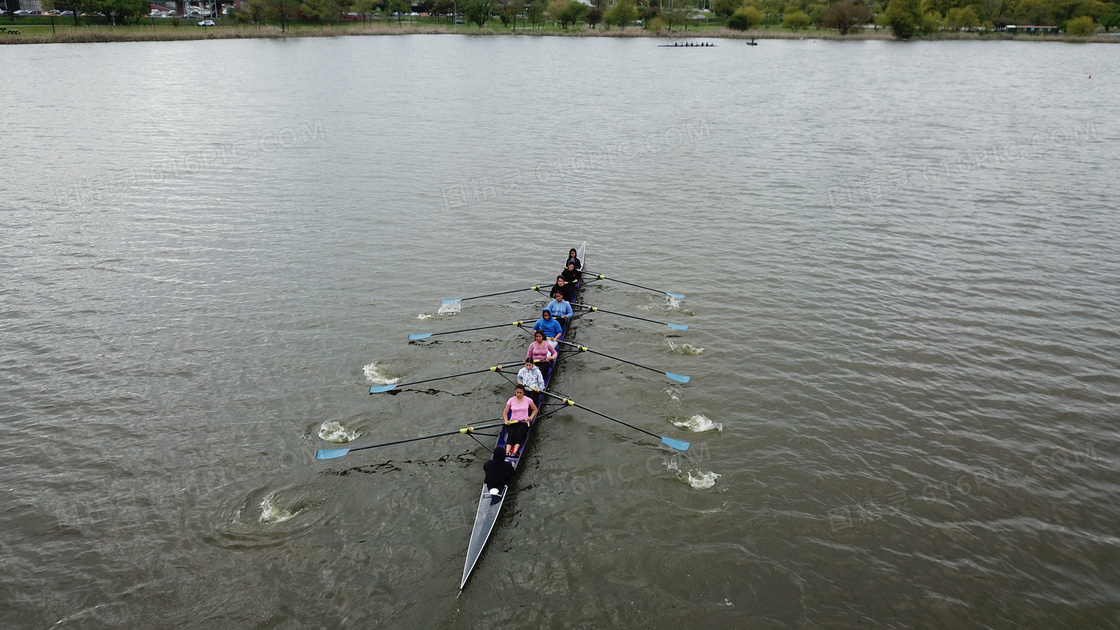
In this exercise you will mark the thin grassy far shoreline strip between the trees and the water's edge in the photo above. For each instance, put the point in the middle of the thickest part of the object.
(190, 33)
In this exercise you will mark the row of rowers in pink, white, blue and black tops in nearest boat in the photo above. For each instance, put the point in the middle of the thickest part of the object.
(521, 410)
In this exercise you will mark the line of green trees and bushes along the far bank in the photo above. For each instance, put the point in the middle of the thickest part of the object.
(906, 18)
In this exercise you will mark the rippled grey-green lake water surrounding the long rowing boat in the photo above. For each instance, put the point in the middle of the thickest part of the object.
(901, 264)
